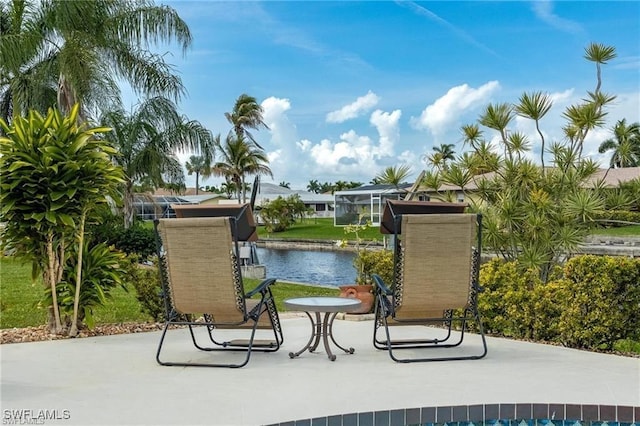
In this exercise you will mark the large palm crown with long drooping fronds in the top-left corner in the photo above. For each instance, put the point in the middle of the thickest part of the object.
(83, 49)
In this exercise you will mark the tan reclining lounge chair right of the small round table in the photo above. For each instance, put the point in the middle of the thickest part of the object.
(436, 261)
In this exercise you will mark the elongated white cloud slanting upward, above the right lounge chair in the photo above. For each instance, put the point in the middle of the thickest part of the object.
(445, 112)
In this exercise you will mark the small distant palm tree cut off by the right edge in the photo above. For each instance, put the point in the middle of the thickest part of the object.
(625, 145)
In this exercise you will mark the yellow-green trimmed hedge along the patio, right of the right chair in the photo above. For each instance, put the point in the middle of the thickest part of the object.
(592, 305)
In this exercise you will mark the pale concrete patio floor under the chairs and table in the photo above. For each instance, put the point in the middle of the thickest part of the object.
(114, 380)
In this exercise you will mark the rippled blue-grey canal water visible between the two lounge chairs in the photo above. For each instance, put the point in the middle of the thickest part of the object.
(331, 268)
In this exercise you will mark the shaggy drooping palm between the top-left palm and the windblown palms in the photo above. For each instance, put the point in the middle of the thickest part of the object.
(147, 141)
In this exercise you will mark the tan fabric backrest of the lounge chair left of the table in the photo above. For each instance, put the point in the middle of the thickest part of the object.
(202, 269)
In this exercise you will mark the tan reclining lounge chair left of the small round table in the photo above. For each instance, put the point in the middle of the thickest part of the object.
(201, 277)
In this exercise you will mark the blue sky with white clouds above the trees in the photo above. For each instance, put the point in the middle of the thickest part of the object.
(352, 87)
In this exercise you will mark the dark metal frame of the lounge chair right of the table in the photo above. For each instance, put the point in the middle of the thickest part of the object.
(388, 304)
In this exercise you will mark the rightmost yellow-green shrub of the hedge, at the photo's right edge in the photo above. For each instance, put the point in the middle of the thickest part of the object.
(600, 301)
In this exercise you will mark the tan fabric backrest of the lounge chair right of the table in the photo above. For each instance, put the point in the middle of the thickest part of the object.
(436, 264)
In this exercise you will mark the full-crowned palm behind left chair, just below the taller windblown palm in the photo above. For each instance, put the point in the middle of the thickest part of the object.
(240, 159)
